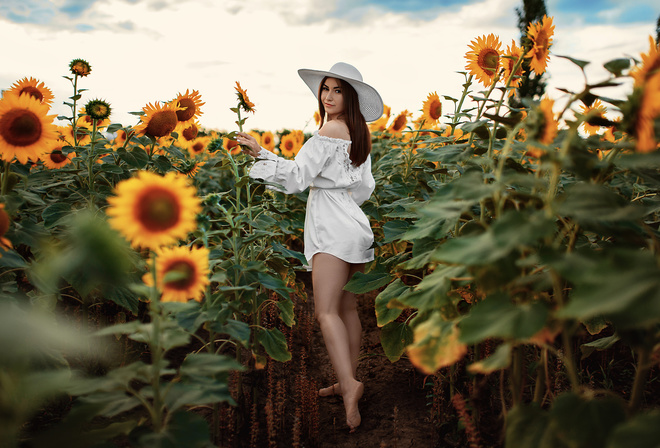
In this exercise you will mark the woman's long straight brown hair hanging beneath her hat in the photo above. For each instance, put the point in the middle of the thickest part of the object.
(357, 126)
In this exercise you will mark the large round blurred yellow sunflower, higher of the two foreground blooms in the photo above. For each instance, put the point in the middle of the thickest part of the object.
(153, 211)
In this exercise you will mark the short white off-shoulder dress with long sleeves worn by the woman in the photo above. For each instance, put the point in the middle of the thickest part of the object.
(334, 222)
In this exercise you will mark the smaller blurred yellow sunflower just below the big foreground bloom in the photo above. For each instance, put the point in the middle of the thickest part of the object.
(182, 273)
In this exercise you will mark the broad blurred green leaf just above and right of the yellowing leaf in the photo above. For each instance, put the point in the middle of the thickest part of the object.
(497, 317)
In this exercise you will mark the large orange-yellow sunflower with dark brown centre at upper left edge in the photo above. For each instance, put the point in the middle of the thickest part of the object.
(25, 128)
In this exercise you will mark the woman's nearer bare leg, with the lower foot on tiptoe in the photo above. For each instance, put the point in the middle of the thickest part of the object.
(329, 276)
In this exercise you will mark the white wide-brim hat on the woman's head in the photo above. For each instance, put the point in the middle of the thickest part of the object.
(371, 104)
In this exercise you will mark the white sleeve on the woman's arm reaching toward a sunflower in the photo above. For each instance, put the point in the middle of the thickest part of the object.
(294, 176)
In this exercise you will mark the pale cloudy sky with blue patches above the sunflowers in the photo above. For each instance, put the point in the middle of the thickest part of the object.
(144, 51)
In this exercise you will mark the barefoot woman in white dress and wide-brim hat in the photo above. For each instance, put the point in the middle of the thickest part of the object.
(335, 162)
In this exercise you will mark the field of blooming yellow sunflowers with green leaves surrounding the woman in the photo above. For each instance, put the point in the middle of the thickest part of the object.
(152, 291)
